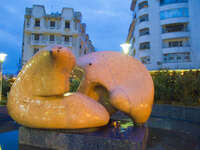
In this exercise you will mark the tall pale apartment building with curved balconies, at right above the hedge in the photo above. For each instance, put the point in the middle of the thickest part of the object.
(165, 34)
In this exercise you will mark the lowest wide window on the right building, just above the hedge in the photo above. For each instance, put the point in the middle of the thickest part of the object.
(177, 57)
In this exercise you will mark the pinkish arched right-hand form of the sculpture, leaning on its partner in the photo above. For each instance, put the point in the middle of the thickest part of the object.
(127, 81)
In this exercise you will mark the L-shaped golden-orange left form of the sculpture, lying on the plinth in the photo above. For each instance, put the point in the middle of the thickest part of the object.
(37, 97)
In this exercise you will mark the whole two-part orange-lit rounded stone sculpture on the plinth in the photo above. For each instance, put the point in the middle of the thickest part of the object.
(112, 81)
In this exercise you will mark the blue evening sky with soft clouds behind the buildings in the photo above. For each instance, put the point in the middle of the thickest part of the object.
(107, 24)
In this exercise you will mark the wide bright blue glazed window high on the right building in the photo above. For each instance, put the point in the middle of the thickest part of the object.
(174, 13)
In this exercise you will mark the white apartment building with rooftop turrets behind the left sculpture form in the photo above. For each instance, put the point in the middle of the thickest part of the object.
(65, 28)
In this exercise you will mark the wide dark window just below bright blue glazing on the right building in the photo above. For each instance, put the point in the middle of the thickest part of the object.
(175, 28)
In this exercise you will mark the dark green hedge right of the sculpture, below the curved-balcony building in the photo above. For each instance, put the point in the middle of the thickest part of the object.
(177, 87)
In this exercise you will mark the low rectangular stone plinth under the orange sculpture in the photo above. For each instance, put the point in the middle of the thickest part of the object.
(106, 138)
